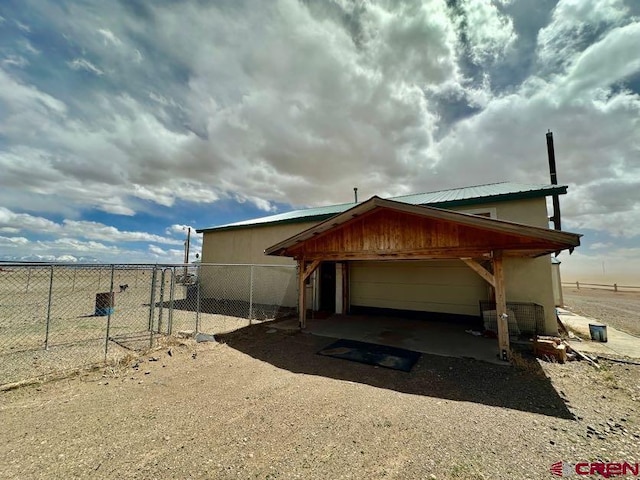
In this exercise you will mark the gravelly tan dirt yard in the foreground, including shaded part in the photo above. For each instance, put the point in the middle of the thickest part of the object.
(264, 405)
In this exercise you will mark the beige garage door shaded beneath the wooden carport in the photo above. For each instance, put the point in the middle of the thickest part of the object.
(429, 286)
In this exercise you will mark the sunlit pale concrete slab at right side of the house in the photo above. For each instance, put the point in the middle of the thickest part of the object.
(619, 343)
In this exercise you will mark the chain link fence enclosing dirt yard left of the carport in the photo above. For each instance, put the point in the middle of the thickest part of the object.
(60, 318)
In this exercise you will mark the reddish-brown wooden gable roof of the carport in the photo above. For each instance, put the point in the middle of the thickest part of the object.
(381, 229)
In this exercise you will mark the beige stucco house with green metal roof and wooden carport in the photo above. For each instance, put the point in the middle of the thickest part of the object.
(436, 254)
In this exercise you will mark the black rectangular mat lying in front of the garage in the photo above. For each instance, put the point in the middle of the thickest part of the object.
(371, 354)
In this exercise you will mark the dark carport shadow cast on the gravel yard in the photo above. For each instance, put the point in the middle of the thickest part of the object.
(526, 389)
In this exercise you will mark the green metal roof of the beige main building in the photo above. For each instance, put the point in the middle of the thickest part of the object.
(457, 197)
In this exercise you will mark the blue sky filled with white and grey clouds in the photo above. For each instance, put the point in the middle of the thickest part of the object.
(123, 122)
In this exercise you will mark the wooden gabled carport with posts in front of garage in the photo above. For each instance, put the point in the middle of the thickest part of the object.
(385, 230)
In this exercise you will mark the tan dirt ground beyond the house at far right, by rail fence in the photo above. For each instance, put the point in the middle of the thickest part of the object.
(618, 309)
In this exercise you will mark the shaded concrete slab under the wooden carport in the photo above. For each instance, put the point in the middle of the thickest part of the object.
(437, 338)
